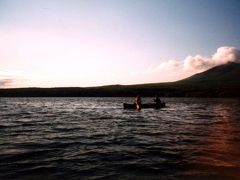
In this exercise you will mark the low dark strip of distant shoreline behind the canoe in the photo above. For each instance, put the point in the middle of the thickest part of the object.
(145, 90)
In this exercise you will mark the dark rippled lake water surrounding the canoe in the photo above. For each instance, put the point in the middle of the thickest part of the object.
(94, 138)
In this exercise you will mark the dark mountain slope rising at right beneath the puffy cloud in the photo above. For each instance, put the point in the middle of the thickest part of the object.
(219, 81)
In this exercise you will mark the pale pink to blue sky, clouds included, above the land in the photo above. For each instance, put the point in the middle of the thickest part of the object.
(79, 43)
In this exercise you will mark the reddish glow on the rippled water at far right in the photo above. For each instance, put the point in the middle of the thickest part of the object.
(221, 150)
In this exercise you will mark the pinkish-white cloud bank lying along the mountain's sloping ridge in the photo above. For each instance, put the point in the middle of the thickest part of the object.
(174, 70)
